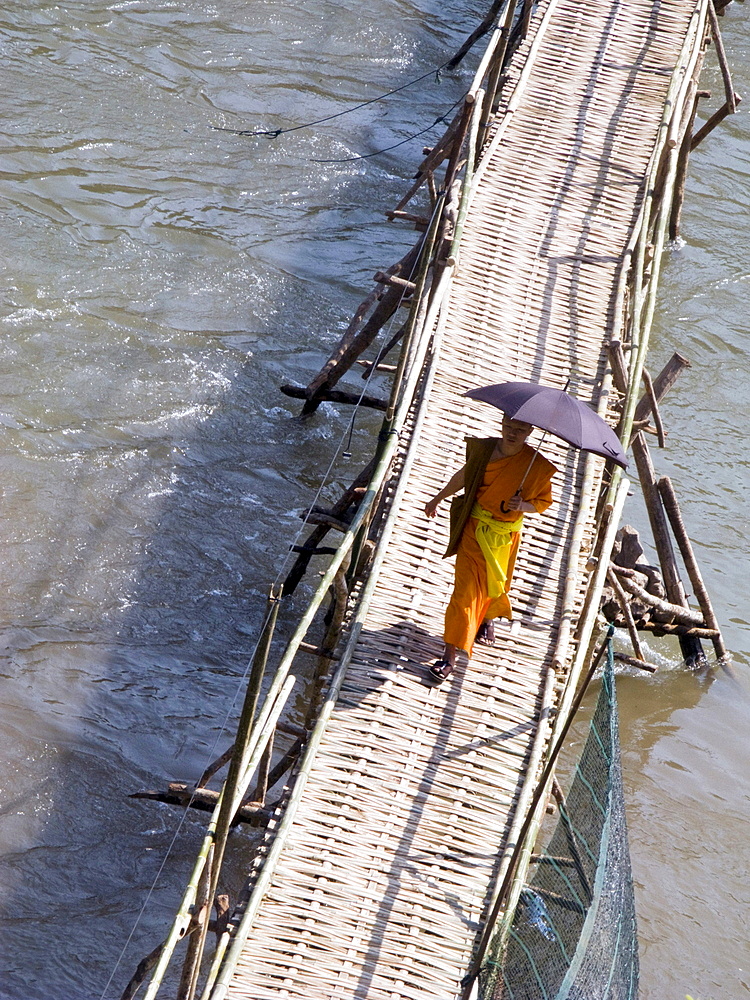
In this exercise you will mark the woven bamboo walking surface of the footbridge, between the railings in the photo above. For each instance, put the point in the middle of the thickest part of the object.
(385, 874)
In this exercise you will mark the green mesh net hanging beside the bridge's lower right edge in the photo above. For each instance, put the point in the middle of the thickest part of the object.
(573, 936)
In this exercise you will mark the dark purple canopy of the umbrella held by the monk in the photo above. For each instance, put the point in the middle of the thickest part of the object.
(557, 412)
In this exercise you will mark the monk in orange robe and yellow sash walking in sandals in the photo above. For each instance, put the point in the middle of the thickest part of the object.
(503, 479)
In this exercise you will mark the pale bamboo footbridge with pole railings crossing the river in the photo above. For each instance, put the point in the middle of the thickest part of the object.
(380, 872)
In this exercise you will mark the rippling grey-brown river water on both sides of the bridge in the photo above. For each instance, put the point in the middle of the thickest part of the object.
(160, 280)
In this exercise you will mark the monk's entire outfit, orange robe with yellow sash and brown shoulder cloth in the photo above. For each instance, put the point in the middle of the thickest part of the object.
(485, 525)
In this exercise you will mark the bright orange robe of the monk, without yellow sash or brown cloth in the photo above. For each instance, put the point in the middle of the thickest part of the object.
(470, 603)
